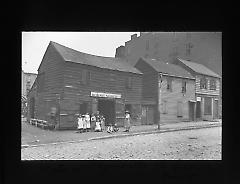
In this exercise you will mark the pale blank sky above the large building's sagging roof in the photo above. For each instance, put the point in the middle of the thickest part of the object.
(34, 44)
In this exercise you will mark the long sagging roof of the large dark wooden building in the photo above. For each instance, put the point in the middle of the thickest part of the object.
(111, 63)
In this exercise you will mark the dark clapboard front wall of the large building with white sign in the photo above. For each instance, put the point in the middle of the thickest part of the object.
(101, 80)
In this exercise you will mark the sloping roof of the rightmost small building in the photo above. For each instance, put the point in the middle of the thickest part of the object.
(199, 68)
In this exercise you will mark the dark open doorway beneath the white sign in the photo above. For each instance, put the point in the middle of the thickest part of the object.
(107, 109)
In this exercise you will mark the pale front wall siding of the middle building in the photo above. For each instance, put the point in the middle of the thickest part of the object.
(172, 98)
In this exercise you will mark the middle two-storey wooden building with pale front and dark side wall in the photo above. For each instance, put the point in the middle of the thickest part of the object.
(169, 86)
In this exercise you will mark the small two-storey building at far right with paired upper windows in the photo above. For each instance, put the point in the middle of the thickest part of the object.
(207, 89)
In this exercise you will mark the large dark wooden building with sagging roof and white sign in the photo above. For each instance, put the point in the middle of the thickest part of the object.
(71, 82)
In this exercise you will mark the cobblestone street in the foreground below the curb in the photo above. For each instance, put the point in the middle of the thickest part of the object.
(197, 144)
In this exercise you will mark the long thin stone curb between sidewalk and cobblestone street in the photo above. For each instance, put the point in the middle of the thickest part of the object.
(125, 135)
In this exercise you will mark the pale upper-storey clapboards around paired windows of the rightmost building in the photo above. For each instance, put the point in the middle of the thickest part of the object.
(207, 91)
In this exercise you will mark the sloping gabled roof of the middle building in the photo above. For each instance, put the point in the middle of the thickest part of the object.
(168, 69)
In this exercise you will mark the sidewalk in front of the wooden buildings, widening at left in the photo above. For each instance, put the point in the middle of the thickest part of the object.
(33, 136)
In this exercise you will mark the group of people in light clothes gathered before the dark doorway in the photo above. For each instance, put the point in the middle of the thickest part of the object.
(96, 122)
